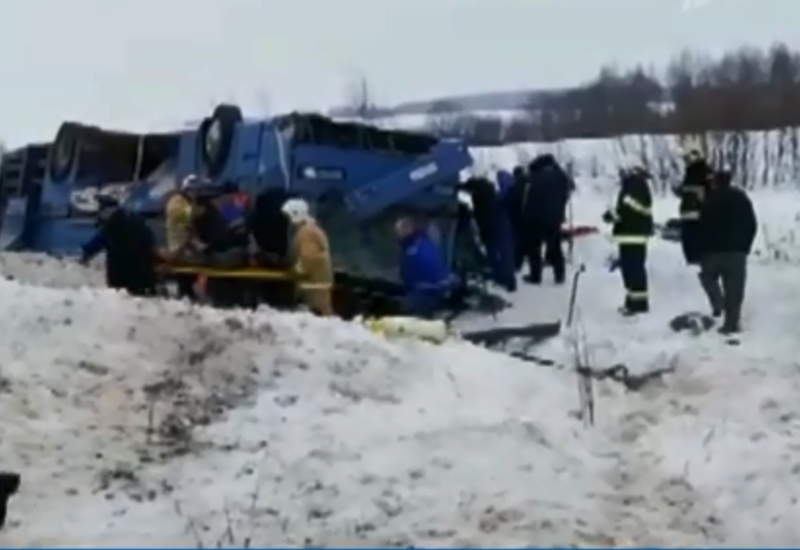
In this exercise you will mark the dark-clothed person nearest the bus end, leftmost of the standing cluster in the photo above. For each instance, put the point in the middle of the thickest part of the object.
(494, 230)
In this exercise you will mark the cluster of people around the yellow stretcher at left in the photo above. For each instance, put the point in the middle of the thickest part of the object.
(216, 226)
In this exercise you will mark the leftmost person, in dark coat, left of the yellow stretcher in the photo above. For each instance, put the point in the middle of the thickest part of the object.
(130, 249)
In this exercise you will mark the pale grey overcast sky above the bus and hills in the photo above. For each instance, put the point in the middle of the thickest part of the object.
(143, 63)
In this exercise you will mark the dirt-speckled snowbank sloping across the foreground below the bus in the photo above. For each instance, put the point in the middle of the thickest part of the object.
(155, 423)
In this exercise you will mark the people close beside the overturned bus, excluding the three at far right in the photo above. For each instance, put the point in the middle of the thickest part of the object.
(516, 218)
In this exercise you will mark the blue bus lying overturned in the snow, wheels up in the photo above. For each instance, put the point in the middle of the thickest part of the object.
(358, 177)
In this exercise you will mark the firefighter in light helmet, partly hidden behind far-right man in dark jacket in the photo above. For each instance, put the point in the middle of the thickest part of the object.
(692, 192)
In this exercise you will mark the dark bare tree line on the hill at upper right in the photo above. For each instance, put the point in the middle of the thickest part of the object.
(746, 89)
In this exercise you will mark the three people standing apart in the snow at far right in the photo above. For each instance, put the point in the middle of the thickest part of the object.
(718, 226)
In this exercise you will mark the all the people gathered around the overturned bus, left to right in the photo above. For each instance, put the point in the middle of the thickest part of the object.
(517, 218)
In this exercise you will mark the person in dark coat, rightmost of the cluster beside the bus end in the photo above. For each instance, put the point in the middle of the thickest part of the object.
(544, 206)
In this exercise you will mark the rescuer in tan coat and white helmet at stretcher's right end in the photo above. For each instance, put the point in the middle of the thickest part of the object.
(312, 257)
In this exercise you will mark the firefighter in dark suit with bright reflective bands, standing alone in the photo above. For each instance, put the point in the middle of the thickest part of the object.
(633, 226)
